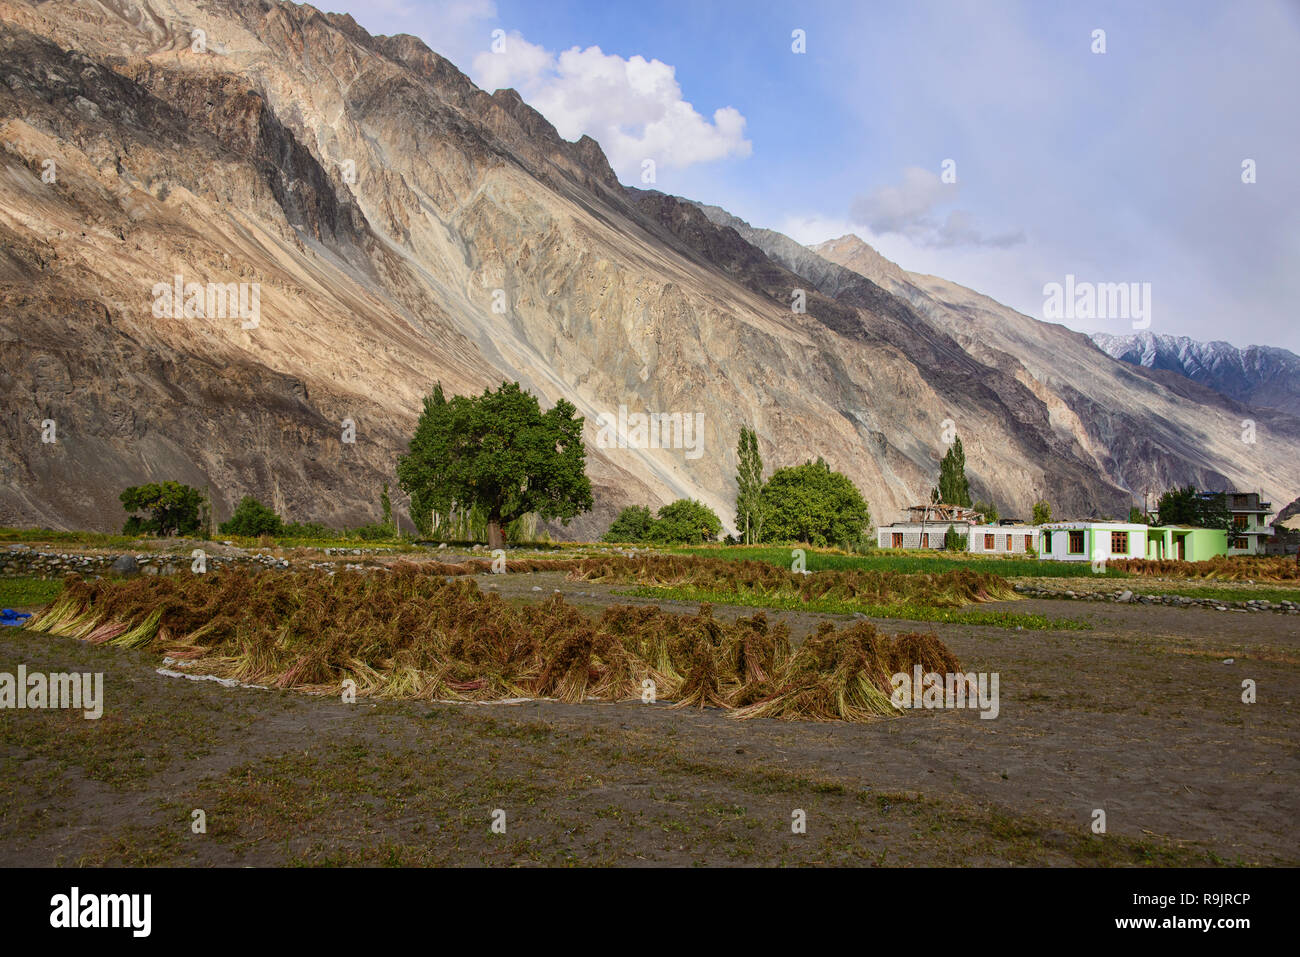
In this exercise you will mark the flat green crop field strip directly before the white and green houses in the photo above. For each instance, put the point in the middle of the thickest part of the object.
(909, 562)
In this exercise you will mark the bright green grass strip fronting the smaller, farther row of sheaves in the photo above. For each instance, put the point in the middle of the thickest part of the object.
(834, 607)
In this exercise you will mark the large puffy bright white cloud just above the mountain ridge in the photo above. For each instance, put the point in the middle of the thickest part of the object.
(634, 109)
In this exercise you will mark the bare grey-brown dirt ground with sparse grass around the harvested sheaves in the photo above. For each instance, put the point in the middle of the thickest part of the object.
(1139, 717)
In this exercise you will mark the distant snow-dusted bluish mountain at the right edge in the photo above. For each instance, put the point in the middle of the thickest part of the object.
(1260, 376)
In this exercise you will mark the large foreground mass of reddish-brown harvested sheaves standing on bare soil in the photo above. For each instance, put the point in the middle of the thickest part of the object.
(415, 635)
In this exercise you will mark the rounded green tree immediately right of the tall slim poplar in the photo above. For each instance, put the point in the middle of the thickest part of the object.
(812, 504)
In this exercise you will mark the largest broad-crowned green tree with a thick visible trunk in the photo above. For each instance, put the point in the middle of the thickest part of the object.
(501, 453)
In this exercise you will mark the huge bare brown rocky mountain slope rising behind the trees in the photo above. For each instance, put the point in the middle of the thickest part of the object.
(405, 227)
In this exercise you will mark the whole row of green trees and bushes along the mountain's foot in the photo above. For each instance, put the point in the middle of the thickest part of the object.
(497, 462)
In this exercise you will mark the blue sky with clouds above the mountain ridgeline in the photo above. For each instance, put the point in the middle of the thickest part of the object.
(1116, 167)
